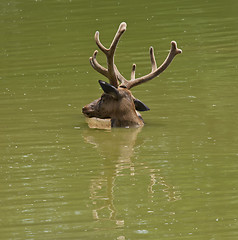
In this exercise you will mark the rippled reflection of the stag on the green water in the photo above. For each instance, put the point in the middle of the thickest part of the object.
(119, 162)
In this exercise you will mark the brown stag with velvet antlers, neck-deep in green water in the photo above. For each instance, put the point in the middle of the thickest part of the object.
(117, 102)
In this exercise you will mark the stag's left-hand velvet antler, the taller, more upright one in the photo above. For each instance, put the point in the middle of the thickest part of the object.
(112, 72)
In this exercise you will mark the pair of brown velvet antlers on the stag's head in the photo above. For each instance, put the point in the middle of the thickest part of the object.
(112, 72)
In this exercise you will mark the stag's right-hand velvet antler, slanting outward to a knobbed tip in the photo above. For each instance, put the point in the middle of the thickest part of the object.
(155, 71)
